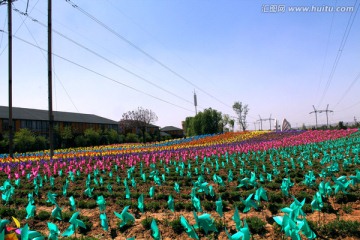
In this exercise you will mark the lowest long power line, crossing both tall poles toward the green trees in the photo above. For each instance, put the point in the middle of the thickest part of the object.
(101, 75)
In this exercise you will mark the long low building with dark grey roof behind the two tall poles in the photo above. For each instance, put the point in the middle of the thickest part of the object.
(38, 120)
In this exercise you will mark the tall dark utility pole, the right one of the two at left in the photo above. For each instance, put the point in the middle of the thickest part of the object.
(51, 116)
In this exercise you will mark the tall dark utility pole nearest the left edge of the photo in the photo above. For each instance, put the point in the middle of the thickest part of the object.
(11, 131)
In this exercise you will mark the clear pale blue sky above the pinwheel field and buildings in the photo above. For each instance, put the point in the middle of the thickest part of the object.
(262, 53)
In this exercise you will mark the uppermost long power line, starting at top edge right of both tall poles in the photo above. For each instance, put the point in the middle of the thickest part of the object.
(141, 50)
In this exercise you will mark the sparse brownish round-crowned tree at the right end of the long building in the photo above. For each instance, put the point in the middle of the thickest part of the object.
(139, 118)
